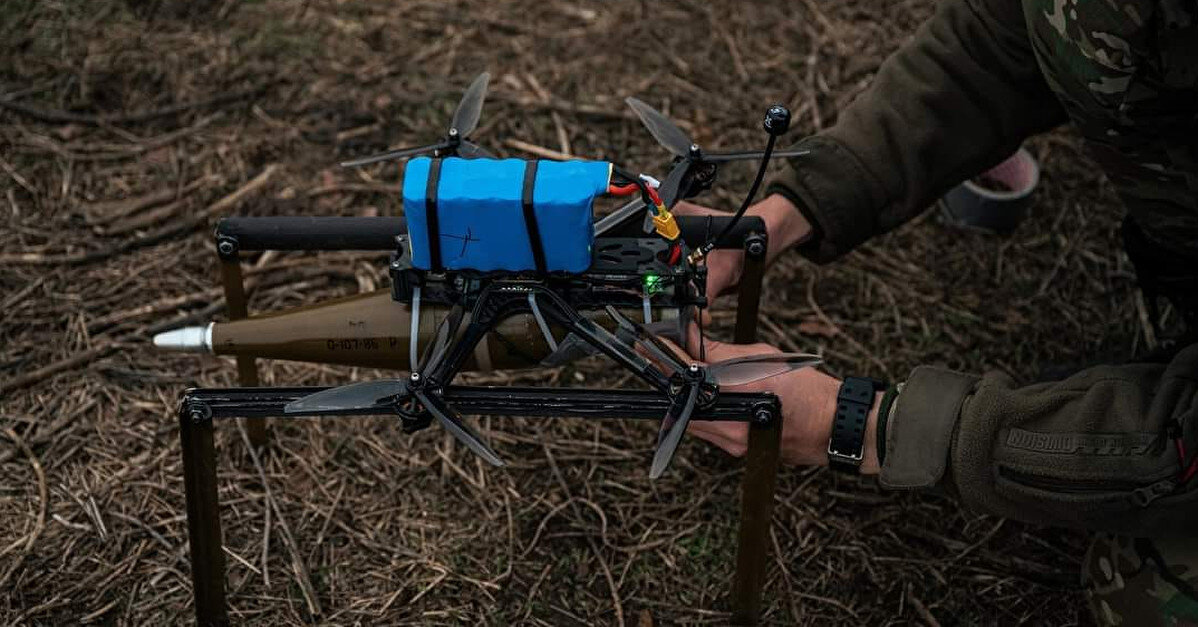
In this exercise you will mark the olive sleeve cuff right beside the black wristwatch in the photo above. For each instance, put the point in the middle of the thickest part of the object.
(919, 433)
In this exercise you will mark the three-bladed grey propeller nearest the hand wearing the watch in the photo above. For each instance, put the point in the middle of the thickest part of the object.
(691, 382)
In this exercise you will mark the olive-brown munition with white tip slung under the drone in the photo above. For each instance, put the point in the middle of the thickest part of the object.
(370, 330)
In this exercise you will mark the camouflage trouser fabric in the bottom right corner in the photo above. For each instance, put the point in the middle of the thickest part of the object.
(1142, 583)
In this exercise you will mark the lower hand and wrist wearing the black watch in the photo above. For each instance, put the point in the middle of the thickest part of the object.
(809, 401)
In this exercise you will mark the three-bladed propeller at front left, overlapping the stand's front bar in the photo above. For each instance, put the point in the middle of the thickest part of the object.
(404, 396)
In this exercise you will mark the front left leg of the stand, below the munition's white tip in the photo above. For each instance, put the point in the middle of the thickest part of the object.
(203, 516)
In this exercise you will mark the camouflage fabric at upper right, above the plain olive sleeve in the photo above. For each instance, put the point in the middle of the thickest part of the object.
(1127, 73)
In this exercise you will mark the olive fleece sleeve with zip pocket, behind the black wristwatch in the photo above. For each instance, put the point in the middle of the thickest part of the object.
(1099, 450)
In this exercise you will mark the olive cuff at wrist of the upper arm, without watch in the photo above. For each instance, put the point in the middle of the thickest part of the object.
(836, 195)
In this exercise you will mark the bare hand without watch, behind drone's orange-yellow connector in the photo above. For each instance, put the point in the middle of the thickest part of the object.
(785, 227)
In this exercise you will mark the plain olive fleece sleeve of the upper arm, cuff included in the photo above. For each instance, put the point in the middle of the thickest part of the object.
(955, 101)
